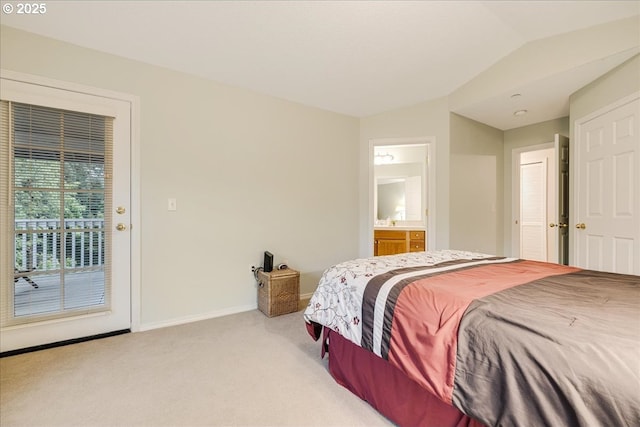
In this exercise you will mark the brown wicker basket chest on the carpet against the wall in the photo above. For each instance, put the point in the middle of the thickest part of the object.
(278, 292)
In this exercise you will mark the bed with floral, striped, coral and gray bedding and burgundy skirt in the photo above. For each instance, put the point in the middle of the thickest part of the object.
(455, 338)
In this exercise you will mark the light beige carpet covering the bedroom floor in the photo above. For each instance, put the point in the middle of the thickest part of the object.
(240, 370)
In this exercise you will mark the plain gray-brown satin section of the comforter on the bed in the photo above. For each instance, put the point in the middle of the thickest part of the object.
(560, 351)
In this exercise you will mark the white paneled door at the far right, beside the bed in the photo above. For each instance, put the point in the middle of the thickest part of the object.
(607, 200)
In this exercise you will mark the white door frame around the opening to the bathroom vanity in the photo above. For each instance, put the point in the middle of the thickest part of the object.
(430, 166)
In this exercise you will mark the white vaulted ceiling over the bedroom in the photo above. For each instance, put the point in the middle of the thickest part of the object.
(353, 57)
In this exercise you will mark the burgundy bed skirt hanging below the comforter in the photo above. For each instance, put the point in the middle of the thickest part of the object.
(387, 389)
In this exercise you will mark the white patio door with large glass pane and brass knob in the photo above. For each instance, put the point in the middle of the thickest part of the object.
(64, 214)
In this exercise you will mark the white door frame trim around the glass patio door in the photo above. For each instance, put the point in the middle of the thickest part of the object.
(135, 235)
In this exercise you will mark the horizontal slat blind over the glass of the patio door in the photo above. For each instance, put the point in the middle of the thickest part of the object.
(56, 187)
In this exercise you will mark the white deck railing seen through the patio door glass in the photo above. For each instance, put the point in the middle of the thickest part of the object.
(42, 245)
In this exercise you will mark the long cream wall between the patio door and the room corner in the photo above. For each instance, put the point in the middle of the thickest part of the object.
(250, 173)
